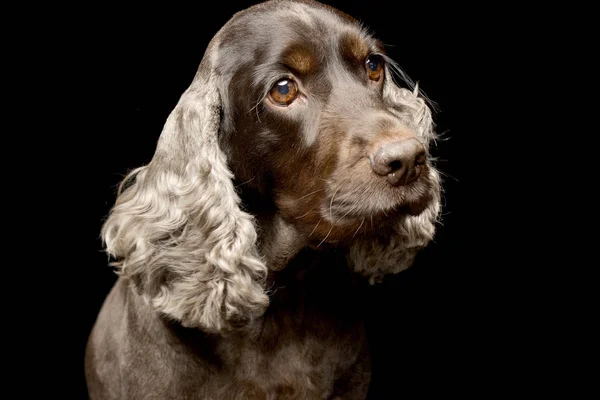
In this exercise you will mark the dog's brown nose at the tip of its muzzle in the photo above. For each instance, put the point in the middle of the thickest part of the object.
(401, 161)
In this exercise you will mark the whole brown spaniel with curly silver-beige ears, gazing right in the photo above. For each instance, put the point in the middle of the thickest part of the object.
(292, 174)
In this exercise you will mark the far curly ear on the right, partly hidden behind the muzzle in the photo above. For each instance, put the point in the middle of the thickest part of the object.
(395, 251)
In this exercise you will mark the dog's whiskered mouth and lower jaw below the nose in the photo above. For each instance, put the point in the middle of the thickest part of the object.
(351, 205)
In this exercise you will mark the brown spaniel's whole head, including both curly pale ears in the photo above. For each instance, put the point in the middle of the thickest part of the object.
(295, 101)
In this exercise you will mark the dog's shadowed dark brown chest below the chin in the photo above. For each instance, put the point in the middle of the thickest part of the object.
(300, 349)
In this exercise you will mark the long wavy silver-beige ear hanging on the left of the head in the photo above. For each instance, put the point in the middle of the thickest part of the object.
(177, 230)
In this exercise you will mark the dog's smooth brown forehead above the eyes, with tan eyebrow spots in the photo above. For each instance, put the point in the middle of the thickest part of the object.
(299, 34)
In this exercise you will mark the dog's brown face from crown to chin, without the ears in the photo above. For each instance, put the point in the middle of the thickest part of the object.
(306, 122)
